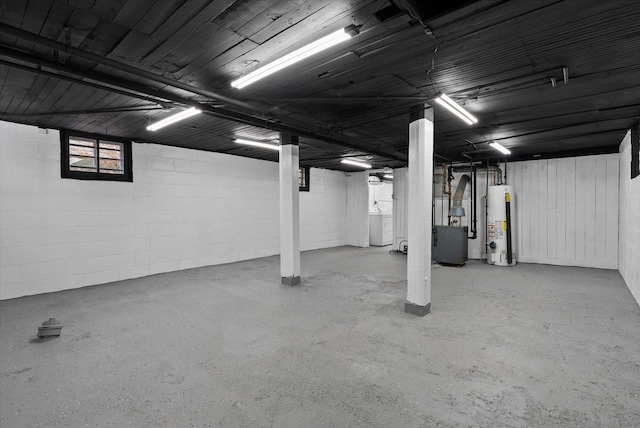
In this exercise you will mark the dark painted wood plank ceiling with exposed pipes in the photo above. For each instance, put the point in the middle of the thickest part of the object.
(114, 66)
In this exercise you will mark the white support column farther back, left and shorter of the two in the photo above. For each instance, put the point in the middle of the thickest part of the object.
(289, 210)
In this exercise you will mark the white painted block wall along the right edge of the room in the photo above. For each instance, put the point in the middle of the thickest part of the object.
(629, 245)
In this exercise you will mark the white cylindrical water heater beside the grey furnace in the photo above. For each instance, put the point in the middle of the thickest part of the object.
(501, 236)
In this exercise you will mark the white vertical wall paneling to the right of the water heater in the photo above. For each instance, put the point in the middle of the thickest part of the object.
(567, 210)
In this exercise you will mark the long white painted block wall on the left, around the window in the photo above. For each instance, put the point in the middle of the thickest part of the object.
(185, 208)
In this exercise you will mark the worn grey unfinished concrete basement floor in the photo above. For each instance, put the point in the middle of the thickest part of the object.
(228, 345)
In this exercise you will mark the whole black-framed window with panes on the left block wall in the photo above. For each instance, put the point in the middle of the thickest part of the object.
(95, 157)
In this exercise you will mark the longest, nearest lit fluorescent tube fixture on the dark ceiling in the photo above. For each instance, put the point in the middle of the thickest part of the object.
(297, 55)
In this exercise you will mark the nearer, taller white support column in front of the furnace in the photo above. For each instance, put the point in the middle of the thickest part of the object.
(419, 211)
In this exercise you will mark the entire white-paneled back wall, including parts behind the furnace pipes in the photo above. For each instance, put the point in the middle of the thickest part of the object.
(566, 210)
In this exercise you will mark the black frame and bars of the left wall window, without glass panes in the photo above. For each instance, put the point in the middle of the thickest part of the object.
(66, 171)
